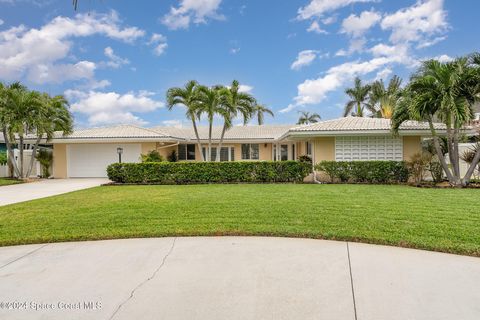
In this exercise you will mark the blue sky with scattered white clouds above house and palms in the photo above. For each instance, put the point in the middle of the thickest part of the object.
(114, 60)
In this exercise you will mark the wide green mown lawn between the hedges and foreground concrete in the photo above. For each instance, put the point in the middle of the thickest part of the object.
(435, 219)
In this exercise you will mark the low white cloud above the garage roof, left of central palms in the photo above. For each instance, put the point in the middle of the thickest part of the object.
(112, 107)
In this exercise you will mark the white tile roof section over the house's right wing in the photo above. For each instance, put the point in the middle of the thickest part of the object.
(362, 124)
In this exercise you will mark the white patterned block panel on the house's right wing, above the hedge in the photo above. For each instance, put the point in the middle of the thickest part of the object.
(368, 148)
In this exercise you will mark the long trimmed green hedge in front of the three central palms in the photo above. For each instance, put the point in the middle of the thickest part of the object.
(208, 172)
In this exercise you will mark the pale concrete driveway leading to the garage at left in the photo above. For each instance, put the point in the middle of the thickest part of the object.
(45, 188)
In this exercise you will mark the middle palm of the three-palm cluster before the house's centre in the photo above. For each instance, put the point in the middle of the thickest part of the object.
(210, 102)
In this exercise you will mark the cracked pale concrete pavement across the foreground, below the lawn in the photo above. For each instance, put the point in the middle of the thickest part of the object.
(235, 278)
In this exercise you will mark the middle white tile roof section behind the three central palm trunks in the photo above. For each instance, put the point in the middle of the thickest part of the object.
(264, 132)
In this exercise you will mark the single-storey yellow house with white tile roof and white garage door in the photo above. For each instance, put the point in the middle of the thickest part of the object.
(87, 152)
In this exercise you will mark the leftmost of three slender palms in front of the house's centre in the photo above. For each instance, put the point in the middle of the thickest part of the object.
(189, 97)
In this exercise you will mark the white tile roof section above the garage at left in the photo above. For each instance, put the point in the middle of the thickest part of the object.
(119, 131)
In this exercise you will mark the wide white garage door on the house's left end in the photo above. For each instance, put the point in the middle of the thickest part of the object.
(91, 160)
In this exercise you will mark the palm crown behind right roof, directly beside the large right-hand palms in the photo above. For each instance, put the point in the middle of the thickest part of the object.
(383, 99)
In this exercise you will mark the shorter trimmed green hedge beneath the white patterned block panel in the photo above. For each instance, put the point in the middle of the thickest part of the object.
(381, 172)
